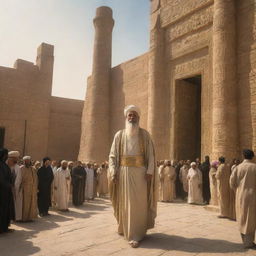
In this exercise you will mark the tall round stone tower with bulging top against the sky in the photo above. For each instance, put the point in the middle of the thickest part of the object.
(95, 134)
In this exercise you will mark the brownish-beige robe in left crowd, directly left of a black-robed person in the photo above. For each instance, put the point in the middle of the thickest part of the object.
(29, 185)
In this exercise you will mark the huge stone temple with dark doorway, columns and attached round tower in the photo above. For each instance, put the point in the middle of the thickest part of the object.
(196, 86)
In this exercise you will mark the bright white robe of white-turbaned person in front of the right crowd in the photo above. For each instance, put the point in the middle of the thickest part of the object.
(195, 195)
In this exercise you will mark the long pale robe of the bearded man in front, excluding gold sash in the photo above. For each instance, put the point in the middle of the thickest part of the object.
(132, 207)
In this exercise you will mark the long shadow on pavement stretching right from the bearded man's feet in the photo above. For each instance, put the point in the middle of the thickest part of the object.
(193, 245)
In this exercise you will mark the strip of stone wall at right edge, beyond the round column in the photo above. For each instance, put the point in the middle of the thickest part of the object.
(246, 72)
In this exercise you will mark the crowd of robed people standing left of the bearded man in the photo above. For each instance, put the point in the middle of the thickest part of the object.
(29, 188)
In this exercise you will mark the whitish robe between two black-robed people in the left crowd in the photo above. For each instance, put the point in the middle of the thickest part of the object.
(62, 181)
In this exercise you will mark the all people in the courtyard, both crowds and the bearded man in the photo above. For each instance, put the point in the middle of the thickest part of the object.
(30, 188)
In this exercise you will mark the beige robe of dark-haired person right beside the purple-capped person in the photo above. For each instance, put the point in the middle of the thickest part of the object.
(222, 176)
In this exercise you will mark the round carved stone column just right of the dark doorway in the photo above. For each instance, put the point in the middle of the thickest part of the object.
(225, 138)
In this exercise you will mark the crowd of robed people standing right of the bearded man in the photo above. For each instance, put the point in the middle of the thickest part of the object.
(230, 186)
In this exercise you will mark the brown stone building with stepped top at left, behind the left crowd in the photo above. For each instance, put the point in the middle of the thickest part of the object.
(31, 120)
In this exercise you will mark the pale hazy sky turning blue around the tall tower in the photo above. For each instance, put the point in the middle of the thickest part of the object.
(68, 25)
